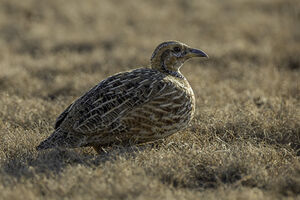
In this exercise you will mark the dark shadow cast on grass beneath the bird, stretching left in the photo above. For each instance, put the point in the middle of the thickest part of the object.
(54, 161)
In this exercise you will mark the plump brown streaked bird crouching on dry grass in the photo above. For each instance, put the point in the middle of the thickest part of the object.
(133, 107)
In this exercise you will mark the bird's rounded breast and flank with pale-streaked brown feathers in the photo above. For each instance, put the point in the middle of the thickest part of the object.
(165, 114)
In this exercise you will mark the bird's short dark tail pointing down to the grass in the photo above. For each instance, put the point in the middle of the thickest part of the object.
(60, 138)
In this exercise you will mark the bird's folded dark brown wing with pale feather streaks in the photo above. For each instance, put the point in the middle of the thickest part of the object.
(103, 106)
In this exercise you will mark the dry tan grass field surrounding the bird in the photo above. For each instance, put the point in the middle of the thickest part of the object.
(244, 142)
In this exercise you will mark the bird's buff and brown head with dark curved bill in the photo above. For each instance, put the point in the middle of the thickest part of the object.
(168, 57)
